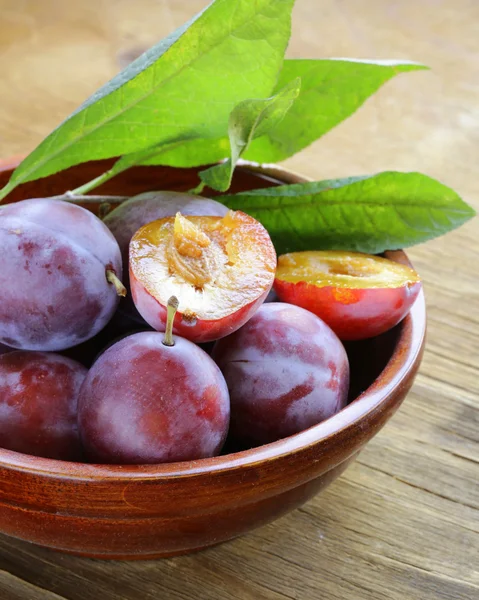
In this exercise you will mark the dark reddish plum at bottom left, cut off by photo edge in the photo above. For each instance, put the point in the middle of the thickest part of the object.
(38, 404)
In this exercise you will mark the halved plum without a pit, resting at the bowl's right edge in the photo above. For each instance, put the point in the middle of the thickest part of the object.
(358, 295)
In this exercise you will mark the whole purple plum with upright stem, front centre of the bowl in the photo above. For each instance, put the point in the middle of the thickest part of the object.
(144, 402)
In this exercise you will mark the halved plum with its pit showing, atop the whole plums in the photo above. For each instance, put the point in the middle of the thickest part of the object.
(220, 269)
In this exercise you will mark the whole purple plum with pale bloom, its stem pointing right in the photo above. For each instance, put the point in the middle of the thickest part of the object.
(53, 288)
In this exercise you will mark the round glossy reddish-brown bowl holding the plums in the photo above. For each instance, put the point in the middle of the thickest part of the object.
(153, 511)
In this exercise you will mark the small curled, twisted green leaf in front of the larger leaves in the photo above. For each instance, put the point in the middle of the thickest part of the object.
(248, 120)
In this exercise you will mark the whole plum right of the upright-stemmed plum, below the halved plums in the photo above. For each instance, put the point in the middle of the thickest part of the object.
(286, 371)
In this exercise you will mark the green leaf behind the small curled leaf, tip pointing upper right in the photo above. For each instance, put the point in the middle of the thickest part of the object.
(331, 91)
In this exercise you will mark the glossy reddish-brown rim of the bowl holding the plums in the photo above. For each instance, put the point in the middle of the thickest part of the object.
(404, 360)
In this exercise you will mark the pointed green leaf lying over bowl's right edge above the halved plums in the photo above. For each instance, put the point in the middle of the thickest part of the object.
(370, 214)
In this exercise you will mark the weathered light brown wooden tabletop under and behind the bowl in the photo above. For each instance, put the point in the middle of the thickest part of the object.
(401, 523)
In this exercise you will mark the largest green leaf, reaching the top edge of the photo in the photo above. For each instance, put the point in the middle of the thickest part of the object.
(186, 85)
